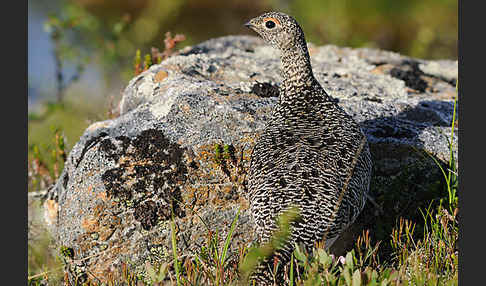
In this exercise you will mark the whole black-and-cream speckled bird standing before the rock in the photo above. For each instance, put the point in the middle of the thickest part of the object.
(311, 154)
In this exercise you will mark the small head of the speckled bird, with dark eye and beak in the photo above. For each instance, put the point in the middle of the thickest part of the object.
(278, 29)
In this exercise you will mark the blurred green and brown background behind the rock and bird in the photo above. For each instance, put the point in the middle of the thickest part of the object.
(81, 52)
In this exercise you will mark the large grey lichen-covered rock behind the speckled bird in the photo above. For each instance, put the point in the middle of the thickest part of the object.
(126, 177)
